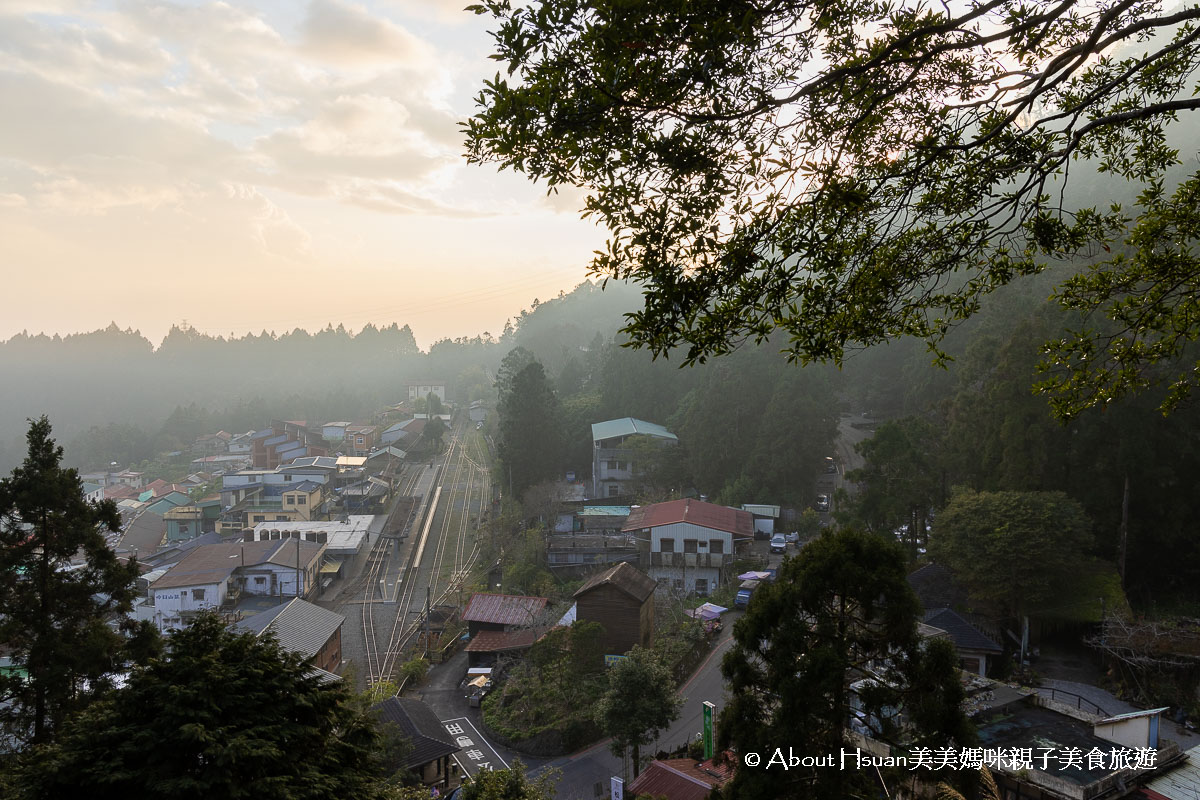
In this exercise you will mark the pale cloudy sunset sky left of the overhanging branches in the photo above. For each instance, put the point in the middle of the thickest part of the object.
(253, 166)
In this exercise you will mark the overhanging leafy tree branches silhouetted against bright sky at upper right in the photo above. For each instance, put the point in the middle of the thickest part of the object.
(857, 172)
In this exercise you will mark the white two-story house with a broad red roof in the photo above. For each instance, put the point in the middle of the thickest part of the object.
(688, 545)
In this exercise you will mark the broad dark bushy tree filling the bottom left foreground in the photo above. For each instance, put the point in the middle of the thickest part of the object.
(221, 715)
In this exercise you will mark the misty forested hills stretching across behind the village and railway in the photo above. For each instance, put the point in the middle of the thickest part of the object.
(752, 426)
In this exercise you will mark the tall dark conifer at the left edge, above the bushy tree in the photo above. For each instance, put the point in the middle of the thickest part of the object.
(59, 586)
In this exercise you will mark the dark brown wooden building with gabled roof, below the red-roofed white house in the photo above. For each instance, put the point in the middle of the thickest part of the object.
(622, 600)
